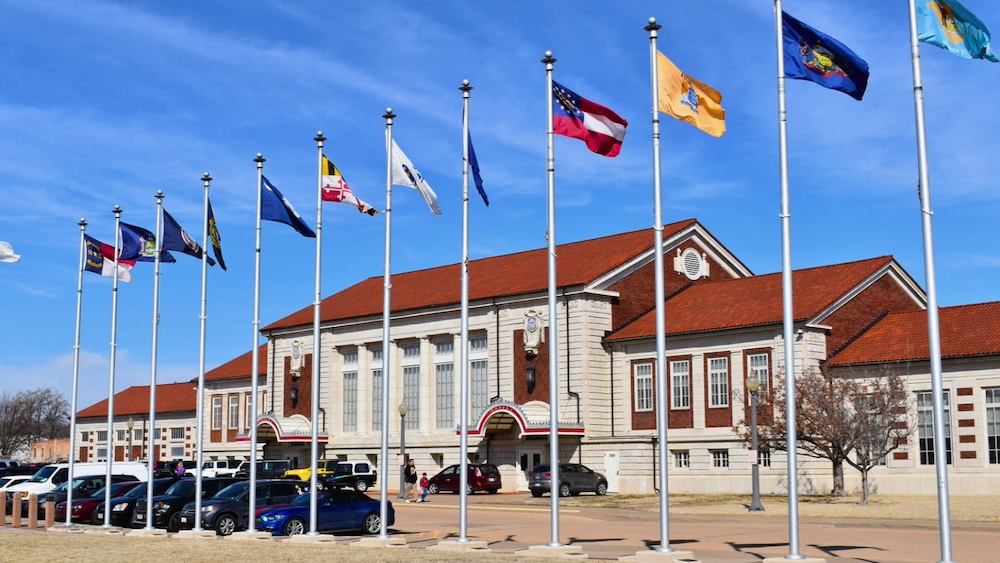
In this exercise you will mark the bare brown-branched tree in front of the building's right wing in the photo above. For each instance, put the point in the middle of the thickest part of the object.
(835, 416)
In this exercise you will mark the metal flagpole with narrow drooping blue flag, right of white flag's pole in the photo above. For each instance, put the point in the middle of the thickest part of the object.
(463, 511)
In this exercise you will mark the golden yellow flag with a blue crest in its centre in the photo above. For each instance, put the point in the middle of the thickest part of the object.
(689, 100)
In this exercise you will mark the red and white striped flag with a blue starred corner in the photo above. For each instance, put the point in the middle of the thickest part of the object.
(572, 116)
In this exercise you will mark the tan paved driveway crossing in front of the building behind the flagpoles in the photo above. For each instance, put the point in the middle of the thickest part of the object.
(610, 533)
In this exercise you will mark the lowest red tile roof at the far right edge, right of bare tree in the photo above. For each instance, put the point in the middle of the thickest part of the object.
(966, 330)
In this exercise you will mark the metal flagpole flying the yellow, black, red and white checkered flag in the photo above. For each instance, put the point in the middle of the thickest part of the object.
(314, 443)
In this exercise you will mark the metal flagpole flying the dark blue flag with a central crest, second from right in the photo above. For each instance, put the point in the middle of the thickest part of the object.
(786, 293)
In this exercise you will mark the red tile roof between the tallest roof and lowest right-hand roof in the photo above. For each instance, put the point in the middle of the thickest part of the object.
(752, 301)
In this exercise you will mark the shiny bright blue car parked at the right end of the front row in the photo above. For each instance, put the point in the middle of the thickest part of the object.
(337, 510)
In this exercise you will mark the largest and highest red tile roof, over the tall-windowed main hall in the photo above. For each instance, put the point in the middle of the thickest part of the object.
(512, 274)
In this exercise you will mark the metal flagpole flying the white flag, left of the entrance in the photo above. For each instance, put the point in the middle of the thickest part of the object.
(386, 358)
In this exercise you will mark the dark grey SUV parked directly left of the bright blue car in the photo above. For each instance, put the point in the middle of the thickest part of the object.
(228, 510)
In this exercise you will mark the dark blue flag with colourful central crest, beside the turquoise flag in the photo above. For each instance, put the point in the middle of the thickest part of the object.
(813, 55)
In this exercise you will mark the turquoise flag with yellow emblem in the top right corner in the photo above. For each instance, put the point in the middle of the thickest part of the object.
(947, 24)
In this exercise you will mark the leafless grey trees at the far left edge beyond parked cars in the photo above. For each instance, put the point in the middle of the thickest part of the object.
(30, 416)
